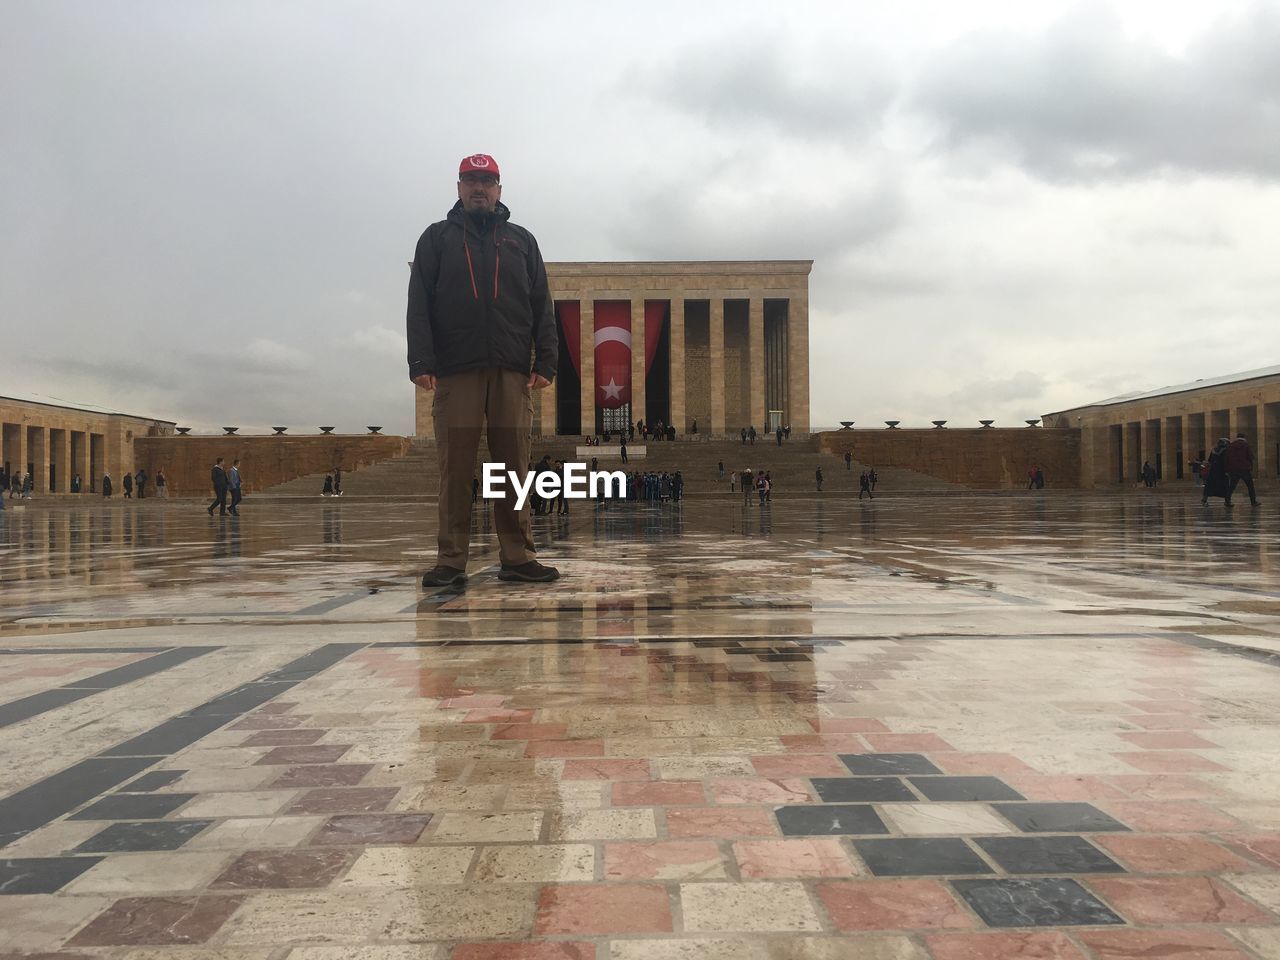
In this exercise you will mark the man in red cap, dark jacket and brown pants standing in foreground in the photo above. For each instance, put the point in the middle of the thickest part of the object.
(478, 309)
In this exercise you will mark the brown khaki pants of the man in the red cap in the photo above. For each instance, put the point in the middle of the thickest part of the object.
(500, 404)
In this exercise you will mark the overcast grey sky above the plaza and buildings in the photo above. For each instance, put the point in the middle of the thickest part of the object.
(1013, 208)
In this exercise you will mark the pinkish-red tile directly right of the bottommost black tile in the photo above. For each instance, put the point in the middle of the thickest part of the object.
(1177, 900)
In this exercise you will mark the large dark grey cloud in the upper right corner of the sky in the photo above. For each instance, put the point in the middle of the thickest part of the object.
(1085, 102)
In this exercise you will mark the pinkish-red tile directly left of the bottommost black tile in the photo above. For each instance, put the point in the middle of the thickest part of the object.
(893, 906)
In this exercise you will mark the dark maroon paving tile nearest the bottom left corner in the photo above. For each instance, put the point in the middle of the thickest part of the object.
(140, 921)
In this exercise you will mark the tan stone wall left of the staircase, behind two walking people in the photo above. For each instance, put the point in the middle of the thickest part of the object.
(266, 461)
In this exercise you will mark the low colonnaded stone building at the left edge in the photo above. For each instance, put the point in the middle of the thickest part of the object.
(57, 442)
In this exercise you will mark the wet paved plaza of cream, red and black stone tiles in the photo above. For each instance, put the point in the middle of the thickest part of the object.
(954, 728)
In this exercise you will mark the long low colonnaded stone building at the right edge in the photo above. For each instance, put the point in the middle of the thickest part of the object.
(1174, 426)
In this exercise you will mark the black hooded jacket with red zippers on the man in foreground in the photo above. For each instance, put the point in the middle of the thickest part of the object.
(478, 298)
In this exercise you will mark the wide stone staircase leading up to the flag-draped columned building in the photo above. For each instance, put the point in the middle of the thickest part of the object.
(792, 469)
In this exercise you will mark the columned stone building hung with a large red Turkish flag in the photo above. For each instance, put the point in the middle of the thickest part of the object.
(720, 344)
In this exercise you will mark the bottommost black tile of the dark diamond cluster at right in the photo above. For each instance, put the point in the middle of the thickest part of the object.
(1034, 903)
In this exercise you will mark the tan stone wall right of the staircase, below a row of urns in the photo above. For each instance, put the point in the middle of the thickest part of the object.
(986, 459)
